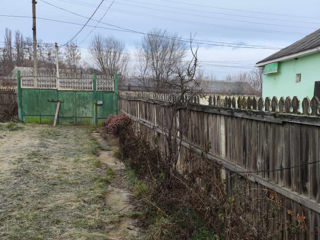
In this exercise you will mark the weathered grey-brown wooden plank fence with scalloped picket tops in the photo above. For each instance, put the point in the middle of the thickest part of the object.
(272, 144)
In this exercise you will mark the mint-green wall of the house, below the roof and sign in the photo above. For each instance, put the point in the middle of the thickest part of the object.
(283, 83)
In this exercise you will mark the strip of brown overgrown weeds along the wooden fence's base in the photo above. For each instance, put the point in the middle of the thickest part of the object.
(198, 206)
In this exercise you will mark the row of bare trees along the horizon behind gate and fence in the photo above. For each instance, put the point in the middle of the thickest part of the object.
(162, 59)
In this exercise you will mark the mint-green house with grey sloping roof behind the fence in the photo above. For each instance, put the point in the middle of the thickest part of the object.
(294, 70)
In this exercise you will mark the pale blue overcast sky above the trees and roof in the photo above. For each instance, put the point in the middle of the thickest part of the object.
(262, 26)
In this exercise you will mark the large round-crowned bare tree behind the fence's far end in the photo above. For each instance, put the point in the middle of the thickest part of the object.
(160, 56)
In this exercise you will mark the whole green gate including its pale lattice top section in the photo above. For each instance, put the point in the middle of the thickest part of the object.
(82, 99)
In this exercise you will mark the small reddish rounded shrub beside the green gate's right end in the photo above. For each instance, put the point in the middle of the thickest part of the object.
(116, 123)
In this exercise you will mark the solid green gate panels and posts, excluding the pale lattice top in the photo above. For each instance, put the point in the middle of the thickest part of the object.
(77, 106)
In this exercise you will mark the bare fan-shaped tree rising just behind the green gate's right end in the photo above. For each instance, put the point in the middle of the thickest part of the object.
(109, 55)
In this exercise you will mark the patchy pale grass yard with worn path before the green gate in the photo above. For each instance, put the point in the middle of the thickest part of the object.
(53, 186)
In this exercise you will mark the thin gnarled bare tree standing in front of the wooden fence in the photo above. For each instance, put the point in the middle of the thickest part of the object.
(184, 88)
